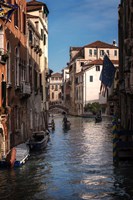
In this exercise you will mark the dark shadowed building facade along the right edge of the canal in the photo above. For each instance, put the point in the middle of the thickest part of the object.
(126, 63)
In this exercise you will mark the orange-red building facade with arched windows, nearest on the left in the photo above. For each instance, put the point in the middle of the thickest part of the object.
(13, 71)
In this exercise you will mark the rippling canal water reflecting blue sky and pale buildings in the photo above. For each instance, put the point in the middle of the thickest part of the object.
(77, 164)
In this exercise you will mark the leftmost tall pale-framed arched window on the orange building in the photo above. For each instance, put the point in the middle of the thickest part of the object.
(9, 64)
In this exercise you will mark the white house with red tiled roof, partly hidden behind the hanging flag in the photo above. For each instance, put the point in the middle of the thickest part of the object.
(92, 85)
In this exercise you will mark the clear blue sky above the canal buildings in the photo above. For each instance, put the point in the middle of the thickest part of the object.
(77, 23)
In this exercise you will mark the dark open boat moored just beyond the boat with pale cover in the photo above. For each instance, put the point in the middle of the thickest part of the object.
(39, 140)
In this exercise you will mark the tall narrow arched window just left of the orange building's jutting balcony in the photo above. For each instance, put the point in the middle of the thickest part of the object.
(17, 78)
